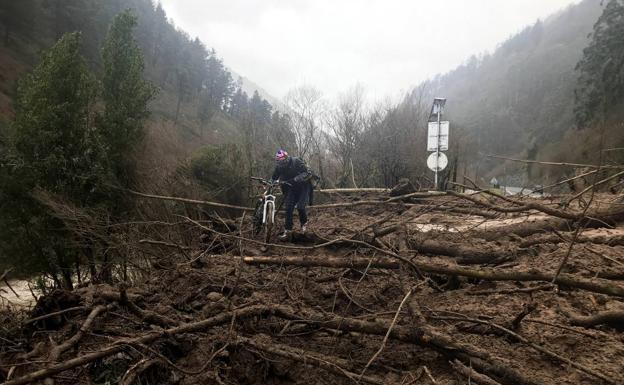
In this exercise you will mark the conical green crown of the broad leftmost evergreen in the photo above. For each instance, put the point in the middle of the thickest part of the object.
(51, 133)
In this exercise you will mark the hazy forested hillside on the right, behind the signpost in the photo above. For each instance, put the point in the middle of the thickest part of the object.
(519, 101)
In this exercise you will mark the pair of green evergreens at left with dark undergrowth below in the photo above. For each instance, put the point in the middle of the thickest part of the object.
(62, 145)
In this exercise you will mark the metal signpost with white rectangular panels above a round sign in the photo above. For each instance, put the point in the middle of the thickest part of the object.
(437, 139)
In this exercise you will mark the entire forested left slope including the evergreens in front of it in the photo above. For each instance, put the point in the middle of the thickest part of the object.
(98, 98)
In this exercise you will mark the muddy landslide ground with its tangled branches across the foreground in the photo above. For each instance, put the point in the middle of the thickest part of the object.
(327, 325)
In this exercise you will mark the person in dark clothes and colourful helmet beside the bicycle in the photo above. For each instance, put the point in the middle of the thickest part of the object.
(296, 188)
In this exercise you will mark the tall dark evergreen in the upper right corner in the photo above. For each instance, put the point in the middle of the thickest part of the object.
(601, 79)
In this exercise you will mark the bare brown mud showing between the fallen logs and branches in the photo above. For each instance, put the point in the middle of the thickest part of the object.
(214, 283)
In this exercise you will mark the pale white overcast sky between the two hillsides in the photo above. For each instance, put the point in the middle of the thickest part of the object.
(386, 45)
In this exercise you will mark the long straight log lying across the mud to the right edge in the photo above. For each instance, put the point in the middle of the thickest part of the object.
(594, 285)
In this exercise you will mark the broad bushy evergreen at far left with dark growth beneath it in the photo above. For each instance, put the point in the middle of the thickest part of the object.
(52, 147)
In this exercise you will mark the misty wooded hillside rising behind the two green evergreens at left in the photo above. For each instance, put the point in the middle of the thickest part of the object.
(195, 85)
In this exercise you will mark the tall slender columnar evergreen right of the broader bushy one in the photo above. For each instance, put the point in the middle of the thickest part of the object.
(126, 95)
